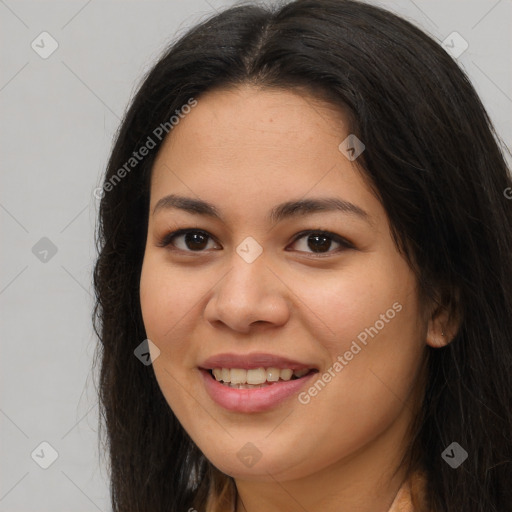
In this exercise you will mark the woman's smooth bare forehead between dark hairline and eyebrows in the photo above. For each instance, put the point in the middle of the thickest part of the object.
(269, 144)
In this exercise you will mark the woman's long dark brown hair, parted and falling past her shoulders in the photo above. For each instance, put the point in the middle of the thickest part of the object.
(436, 163)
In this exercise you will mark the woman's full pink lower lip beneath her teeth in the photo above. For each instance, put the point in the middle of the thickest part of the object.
(252, 400)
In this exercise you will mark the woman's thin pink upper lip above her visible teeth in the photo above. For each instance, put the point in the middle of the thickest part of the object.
(254, 360)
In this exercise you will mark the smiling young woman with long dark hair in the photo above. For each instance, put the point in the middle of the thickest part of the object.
(304, 227)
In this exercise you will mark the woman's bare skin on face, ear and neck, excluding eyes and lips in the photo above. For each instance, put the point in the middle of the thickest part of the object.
(245, 150)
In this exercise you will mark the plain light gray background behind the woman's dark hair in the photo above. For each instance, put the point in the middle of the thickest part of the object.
(58, 117)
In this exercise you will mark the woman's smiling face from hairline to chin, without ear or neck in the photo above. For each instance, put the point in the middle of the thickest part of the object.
(259, 286)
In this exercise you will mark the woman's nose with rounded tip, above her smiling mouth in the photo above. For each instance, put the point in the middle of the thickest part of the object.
(248, 294)
